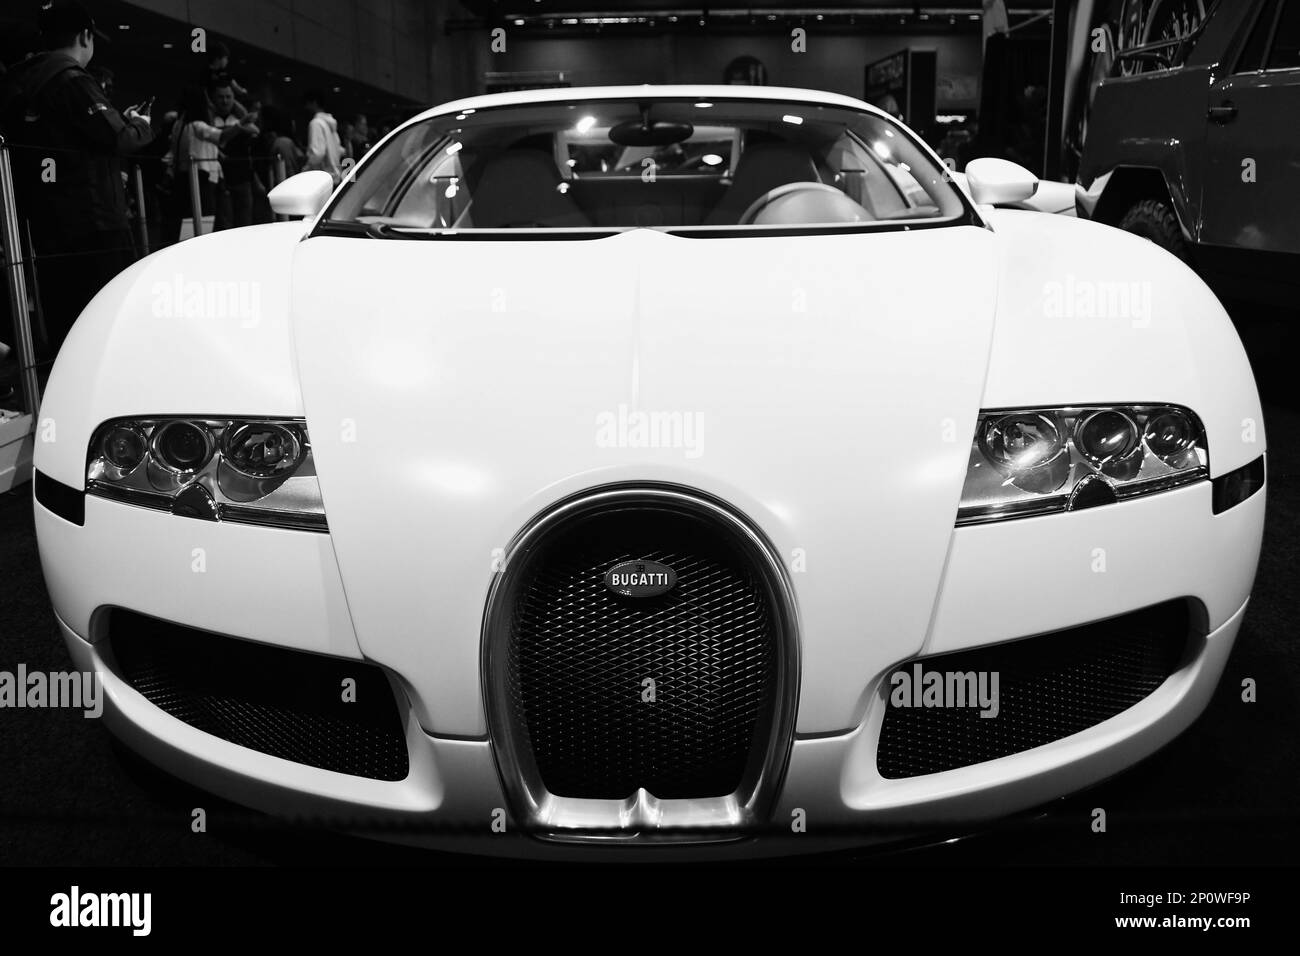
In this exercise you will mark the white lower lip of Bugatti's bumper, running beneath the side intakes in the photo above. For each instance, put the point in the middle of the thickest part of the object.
(453, 797)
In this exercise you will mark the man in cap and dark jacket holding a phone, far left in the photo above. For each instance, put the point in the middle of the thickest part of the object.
(68, 141)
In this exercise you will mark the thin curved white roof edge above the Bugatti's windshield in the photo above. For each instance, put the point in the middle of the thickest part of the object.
(623, 93)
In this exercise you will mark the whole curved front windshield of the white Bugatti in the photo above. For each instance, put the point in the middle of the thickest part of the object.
(674, 165)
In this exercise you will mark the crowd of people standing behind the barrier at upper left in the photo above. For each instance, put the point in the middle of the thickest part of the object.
(75, 155)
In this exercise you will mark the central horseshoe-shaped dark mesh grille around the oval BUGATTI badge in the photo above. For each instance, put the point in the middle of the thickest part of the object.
(579, 659)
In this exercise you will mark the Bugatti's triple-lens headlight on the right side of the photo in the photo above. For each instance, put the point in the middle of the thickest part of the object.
(1042, 461)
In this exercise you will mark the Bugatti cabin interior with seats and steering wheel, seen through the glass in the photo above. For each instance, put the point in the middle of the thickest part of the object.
(651, 175)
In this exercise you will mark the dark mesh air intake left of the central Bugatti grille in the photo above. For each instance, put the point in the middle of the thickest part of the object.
(285, 703)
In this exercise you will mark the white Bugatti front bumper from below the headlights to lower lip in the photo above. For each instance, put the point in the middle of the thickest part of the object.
(291, 595)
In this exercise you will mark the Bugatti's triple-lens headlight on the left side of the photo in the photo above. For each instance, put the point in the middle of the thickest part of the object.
(255, 471)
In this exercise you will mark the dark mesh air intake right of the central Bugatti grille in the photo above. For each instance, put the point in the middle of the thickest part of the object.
(1050, 687)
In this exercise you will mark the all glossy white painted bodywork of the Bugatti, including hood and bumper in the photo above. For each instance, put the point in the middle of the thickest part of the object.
(457, 390)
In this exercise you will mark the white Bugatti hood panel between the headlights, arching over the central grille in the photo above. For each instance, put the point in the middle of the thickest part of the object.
(825, 386)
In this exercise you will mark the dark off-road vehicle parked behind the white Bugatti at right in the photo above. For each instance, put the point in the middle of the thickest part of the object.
(1193, 142)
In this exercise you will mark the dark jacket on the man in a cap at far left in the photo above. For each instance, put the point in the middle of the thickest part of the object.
(54, 110)
